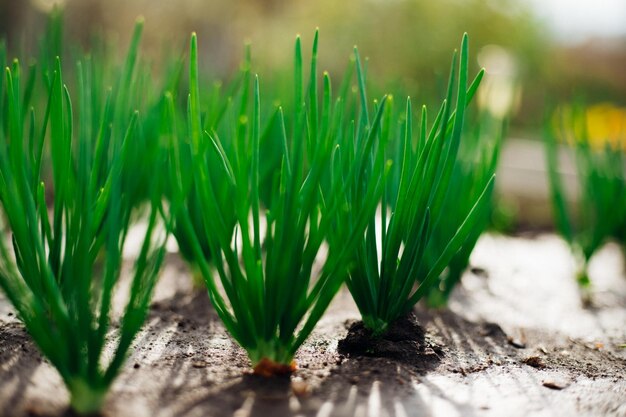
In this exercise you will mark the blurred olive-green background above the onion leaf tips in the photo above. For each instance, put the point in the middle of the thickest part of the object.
(532, 61)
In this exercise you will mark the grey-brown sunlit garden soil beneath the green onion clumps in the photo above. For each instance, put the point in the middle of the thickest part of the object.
(514, 341)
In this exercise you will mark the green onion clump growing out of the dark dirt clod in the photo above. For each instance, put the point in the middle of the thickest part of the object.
(391, 273)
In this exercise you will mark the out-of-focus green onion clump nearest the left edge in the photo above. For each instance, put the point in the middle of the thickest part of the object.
(65, 256)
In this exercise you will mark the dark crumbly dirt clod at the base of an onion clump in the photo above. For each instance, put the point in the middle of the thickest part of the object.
(405, 339)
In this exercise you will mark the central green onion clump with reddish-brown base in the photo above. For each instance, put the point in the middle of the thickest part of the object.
(271, 282)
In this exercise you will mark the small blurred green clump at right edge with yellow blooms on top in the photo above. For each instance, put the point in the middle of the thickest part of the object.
(600, 164)
